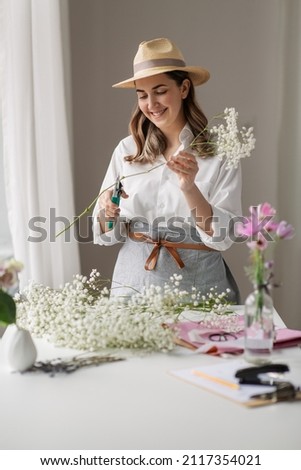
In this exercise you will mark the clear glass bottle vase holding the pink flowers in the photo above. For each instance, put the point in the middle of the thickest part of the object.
(259, 327)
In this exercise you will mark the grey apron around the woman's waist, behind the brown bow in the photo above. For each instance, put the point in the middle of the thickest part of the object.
(202, 269)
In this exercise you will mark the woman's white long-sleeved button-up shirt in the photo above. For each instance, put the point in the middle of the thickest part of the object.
(156, 194)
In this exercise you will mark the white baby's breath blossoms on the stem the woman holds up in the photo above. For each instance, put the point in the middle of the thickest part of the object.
(231, 143)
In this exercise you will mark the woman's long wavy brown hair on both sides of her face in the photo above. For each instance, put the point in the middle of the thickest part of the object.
(150, 140)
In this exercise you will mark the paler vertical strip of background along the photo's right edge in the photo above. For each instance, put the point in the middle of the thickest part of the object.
(288, 260)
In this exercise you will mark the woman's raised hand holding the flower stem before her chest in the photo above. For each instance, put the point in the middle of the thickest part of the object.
(184, 164)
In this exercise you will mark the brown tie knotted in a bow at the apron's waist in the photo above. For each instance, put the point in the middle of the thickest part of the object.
(171, 247)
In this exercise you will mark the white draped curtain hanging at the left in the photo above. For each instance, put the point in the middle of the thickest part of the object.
(37, 157)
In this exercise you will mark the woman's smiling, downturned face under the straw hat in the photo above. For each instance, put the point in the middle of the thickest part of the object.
(161, 100)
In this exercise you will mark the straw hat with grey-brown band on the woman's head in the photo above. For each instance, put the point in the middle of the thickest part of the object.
(160, 56)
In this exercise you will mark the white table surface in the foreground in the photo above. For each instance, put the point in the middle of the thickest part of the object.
(138, 404)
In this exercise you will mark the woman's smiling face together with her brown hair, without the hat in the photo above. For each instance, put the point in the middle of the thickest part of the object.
(166, 104)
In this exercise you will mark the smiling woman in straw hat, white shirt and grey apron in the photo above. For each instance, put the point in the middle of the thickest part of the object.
(178, 200)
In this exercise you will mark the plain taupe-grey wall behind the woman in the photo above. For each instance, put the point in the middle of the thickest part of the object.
(237, 40)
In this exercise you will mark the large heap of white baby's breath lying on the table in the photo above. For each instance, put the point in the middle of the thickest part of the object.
(83, 316)
